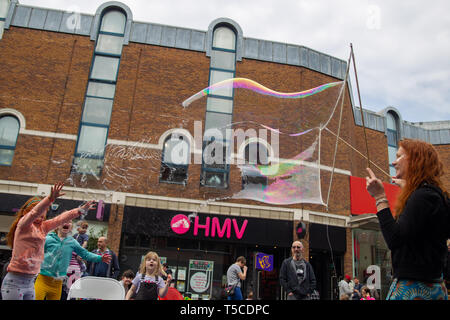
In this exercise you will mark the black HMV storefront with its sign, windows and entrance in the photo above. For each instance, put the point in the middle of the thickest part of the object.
(199, 248)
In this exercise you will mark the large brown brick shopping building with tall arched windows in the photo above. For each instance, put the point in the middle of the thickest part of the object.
(95, 100)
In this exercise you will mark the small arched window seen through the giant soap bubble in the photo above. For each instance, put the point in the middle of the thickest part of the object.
(255, 154)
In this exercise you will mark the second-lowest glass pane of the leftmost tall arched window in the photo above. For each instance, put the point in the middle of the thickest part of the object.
(92, 140)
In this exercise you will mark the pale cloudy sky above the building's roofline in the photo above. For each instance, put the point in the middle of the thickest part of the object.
(402, 48)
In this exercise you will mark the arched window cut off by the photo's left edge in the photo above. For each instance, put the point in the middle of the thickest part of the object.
(9, 130)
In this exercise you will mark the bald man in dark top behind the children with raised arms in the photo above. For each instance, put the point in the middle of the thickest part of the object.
(101, 269)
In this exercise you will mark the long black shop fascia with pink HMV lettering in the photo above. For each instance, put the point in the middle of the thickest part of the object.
(151, 222)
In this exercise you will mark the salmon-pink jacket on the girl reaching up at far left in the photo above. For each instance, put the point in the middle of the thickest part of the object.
(29, 239)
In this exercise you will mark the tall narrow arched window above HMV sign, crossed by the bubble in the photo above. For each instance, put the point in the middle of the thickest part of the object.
(219, 110)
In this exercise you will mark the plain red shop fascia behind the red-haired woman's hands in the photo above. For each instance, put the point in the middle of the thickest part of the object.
(362, 202)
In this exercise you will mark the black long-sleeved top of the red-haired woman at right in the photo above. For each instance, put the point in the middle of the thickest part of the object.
(418, 239)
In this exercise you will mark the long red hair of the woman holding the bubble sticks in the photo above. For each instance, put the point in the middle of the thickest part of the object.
(424, 165)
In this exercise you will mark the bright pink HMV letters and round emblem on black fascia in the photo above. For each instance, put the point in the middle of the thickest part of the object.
(181, 224)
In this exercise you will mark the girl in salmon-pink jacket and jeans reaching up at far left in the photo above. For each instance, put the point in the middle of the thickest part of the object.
(26, 237)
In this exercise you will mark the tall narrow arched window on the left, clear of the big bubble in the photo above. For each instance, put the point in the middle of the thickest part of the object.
(98, 103)
